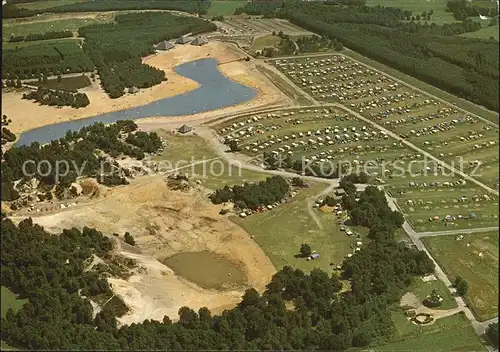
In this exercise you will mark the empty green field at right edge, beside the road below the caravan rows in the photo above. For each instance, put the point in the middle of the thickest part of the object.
(481, 273)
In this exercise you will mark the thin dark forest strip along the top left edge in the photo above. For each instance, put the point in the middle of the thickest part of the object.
(192, 6)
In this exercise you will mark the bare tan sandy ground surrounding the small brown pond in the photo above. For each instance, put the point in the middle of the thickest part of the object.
(165, 222)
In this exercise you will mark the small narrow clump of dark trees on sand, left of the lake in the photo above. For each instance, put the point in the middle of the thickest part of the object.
(46, 96)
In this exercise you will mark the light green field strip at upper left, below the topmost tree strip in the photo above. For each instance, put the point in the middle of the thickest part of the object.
(17, 29)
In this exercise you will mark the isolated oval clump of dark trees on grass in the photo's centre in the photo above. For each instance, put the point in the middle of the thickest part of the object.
(253, 195)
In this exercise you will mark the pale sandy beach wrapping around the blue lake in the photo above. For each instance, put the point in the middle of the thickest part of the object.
(27, 115)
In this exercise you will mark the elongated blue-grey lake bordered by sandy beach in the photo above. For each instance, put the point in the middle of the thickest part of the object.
(215, 92)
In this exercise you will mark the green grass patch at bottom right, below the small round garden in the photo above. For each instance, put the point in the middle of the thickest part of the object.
(453, 333)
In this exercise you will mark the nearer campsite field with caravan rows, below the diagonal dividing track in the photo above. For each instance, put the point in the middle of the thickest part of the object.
(329, 137)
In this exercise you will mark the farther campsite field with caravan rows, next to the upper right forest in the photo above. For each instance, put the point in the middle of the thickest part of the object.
(432, 125)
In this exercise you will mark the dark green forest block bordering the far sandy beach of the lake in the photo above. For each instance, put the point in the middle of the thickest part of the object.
(116, 48)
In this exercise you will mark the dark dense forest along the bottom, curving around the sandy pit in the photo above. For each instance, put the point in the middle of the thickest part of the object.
(35, 265)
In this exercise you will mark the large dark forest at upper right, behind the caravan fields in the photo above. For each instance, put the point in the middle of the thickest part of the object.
(430, 52)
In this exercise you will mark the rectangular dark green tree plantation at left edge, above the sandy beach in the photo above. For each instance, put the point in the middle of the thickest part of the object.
(46, 58)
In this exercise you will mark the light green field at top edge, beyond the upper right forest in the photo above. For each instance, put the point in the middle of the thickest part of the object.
(418, 6)
